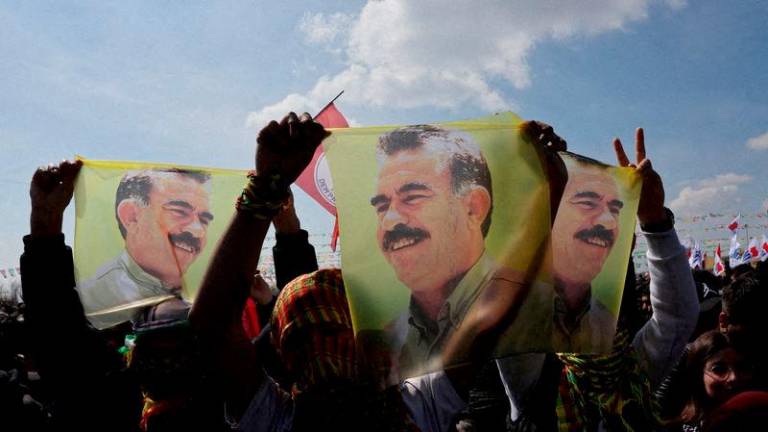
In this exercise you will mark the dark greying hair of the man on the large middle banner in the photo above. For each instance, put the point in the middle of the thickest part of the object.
(467, 165)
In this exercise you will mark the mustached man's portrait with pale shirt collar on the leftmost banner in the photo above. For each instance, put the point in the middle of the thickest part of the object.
(163, 217)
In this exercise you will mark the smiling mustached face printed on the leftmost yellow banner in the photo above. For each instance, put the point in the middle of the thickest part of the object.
(170, 232)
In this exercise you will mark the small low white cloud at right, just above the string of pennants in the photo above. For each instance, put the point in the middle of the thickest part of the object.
(719, 192)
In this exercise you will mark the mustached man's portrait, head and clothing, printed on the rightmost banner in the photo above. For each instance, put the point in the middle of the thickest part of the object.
(583, 235)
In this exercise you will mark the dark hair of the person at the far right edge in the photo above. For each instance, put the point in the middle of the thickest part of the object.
(744, 300)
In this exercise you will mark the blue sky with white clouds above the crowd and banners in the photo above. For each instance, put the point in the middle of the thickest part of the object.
(191, 82)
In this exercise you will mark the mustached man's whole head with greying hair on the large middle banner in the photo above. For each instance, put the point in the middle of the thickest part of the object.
(434, 201)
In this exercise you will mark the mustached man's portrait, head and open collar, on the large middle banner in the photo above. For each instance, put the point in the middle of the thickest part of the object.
(433, 202)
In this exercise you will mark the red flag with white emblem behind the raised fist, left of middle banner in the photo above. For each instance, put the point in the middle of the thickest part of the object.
(316, 178)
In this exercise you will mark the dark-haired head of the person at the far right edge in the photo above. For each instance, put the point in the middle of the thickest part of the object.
(744, 301)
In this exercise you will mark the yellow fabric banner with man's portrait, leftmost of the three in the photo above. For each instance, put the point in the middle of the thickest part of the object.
(145, 233)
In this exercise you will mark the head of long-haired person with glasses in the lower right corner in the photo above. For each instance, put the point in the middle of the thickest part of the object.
(717, 366)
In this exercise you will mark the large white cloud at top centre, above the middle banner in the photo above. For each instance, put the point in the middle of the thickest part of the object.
(407, 54)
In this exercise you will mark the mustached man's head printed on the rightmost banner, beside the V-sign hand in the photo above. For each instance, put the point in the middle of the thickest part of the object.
(587, 222)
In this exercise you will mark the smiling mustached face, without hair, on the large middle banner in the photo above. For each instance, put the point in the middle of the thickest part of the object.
(423, 227)
